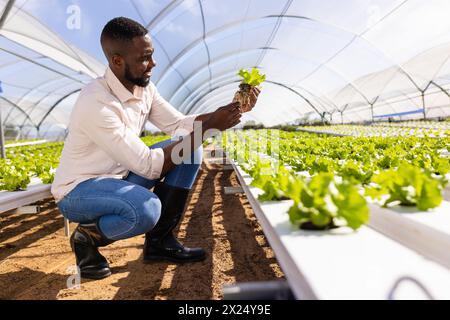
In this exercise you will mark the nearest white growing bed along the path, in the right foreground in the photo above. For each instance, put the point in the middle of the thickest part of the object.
(342, 264)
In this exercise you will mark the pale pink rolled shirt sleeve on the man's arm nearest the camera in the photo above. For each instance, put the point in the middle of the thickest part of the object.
(105, 128)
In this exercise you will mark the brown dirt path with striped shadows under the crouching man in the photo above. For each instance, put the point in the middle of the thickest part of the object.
(36, 261)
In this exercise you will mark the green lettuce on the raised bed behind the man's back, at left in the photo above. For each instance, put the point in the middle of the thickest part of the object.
(24, 163)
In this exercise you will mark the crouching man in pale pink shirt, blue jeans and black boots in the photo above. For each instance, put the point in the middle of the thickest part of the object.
(106, 171)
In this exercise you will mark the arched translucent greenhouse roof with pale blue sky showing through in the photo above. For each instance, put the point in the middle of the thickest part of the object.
(348, 61)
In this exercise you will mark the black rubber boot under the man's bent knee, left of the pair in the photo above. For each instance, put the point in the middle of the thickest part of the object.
(85, 241)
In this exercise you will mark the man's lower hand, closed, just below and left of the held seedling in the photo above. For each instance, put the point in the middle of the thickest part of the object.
(225, 117)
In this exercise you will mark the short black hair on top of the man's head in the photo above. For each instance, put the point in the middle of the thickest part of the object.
(123, 29)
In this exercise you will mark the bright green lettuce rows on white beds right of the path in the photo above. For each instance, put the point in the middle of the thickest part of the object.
(332, 179)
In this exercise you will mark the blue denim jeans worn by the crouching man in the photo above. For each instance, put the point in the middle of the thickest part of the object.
(125, 208)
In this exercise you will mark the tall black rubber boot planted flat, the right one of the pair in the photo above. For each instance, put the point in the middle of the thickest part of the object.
(160, 243)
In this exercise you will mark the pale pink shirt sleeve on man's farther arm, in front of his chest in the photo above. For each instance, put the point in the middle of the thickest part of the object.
(168, 119)
